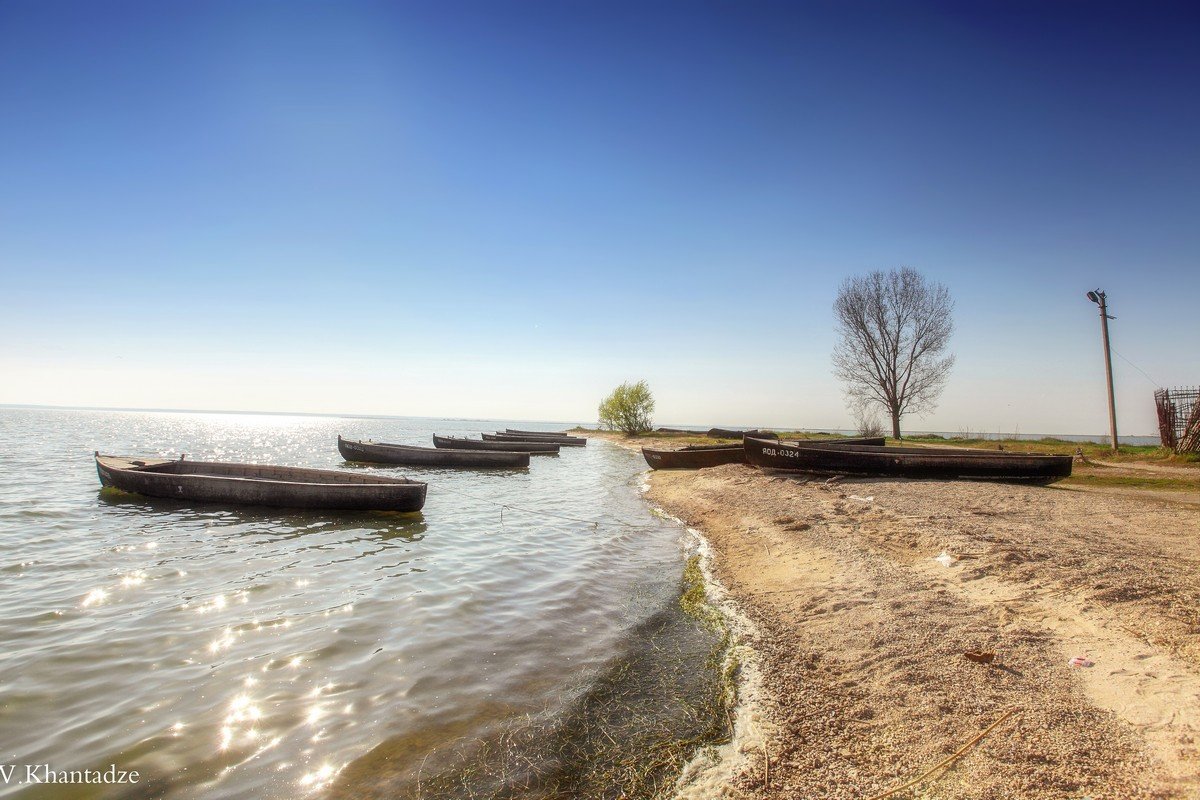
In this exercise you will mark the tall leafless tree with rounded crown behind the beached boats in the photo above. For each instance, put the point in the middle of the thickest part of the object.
(896, 328)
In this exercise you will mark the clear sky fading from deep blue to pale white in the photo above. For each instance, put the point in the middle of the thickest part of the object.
(506, 209)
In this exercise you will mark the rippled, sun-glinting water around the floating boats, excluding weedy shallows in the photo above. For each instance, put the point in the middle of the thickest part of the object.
(265, 654)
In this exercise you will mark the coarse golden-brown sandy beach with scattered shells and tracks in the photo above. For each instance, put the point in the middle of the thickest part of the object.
(866, 596)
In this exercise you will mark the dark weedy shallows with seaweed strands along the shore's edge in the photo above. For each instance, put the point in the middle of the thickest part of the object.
(628, 736)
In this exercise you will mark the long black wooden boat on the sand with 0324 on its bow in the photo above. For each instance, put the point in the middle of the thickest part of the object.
(844, 459)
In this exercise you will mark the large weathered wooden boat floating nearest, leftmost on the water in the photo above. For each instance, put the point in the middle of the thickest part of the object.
(260, 485)
